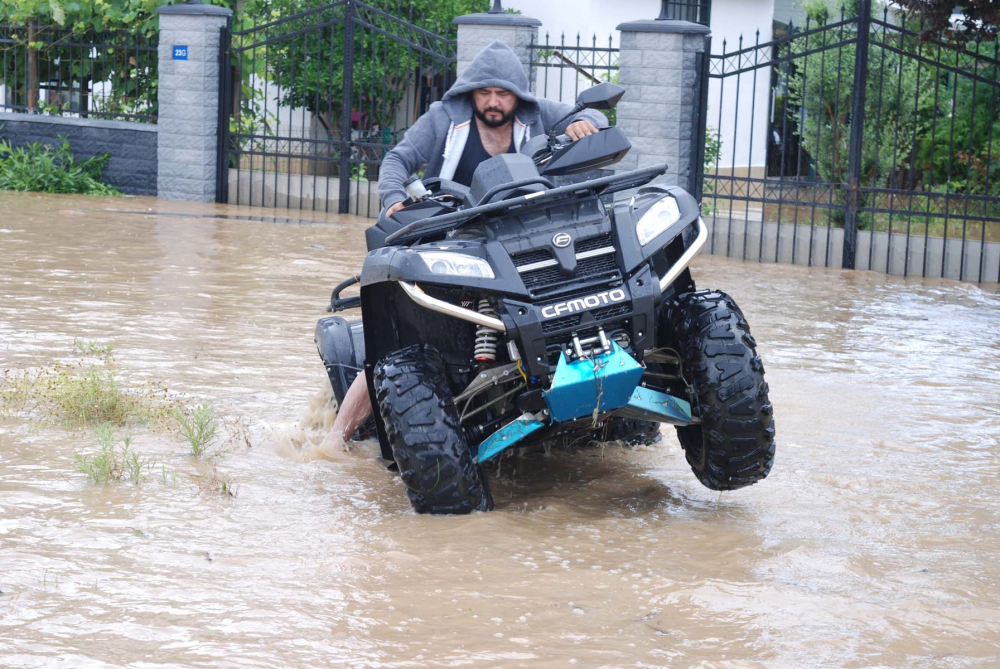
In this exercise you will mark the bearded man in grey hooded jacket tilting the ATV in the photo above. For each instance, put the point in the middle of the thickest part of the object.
(488, 111)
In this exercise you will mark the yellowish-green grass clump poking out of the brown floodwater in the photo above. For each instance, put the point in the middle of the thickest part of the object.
(89, 392)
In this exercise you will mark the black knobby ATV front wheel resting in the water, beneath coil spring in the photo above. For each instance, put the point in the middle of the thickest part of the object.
(425, 434)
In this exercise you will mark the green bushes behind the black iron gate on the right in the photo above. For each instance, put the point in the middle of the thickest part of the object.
(924, 127)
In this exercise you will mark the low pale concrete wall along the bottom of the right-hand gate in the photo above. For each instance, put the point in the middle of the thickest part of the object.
(820, 247)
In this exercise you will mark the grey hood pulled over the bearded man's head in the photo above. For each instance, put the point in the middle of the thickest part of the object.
(496, 65)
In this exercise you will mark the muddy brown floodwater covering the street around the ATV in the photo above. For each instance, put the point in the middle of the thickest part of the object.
(875, 542)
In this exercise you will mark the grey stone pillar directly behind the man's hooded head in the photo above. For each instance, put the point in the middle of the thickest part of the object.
(476, 31)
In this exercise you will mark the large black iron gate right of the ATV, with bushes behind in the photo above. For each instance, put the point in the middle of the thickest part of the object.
(854, 143)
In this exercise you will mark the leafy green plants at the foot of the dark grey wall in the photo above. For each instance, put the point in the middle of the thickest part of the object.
(47, 169)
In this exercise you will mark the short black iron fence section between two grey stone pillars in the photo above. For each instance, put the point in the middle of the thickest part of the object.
(559, 71)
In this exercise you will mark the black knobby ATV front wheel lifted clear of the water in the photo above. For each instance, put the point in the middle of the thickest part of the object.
(733, 447)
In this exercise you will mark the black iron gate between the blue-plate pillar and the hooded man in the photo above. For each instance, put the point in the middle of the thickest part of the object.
(313, 101)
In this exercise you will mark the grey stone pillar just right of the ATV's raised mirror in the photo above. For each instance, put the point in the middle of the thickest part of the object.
(659, 67)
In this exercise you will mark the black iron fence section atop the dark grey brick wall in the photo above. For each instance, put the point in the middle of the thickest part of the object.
(104, 75)
